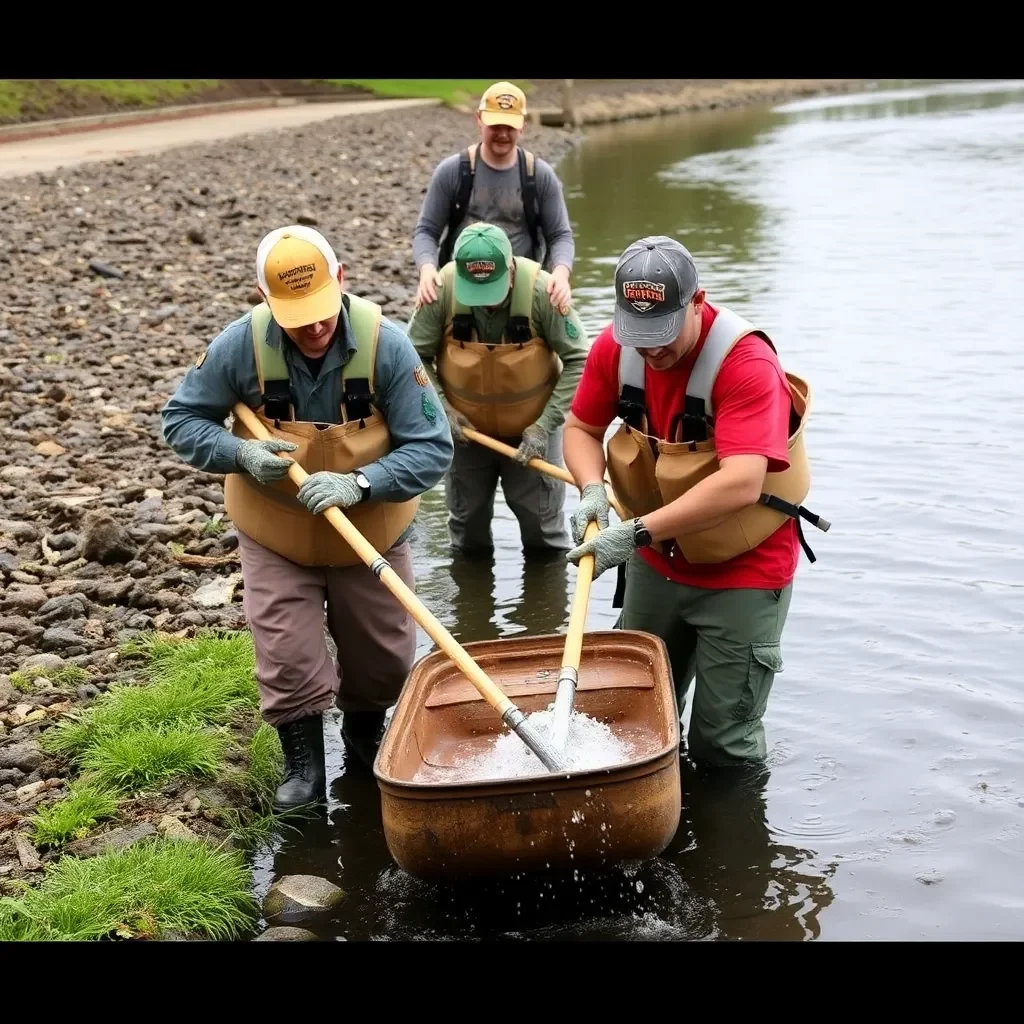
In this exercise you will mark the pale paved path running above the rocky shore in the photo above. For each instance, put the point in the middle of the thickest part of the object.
(50, 153)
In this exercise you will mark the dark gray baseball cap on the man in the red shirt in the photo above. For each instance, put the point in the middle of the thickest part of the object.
(656, 280)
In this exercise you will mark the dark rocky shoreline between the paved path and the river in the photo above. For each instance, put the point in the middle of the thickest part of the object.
(116, 278)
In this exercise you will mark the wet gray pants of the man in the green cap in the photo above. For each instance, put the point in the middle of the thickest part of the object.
(537, 500)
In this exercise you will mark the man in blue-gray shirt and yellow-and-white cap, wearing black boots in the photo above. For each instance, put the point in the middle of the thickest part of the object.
(343, 391)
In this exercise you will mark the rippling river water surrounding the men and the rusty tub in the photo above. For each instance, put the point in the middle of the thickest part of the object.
(878, 238)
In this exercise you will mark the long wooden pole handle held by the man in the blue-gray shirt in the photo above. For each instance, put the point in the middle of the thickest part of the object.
(393, 581)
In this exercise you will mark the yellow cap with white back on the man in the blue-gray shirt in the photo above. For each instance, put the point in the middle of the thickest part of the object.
(297, 271)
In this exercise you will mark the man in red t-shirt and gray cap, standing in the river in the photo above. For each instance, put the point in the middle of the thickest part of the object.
(711, 466)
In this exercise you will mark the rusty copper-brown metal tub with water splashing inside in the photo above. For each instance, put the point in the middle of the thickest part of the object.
(443, 827)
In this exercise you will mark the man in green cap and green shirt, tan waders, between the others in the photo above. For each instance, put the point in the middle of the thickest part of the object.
(505, 363)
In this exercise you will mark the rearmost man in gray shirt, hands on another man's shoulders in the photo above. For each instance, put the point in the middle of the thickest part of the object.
(499, 168)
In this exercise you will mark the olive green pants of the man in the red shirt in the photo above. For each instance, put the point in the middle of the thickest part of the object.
(728, 642)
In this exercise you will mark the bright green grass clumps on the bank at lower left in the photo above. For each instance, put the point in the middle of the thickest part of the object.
(192, 716)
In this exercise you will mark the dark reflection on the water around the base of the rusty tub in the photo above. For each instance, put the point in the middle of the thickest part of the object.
(724, 877)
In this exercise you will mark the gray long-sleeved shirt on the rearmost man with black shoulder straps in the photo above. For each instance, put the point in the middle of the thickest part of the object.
(497, 199)
